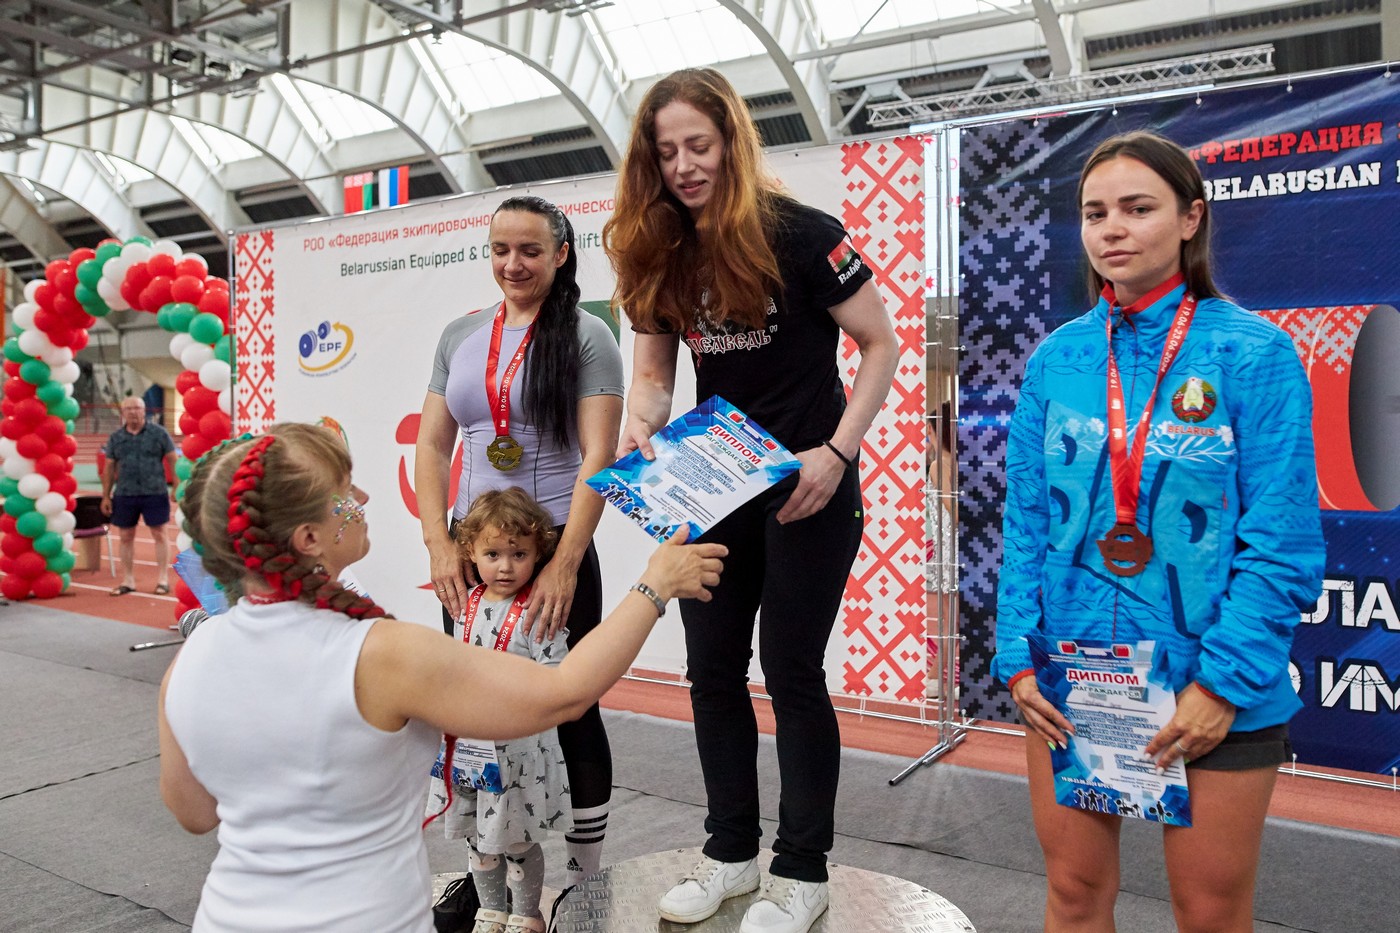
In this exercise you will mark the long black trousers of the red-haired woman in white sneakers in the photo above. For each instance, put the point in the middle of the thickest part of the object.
(793, 576)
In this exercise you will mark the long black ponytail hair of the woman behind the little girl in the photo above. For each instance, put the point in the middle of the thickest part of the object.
(552, 362)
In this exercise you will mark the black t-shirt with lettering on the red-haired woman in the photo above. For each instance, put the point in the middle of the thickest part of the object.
(785, 376)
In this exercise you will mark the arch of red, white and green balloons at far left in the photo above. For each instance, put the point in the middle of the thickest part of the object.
(38, 410)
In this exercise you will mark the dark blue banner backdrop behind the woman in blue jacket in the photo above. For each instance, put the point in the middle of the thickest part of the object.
(1305, 186)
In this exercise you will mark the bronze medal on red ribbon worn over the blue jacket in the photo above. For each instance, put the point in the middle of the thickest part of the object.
(1126, 548)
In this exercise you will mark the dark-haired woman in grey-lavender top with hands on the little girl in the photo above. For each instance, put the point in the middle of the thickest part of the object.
(533, 387)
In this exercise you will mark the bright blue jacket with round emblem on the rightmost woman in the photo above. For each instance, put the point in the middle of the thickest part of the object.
(1230, 497)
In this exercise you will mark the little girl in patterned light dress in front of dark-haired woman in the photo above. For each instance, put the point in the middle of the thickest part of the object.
(506, 810)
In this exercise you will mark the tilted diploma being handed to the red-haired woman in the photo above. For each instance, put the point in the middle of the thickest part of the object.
(709, 462)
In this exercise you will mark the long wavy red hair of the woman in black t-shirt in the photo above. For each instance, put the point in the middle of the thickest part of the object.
(667, 263)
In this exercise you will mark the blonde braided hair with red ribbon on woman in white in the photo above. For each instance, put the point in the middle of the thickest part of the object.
(303, 469)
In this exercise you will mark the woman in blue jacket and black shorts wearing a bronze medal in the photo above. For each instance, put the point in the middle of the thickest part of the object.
(1199, 532)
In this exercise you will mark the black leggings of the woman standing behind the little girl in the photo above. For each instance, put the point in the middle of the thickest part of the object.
(584, 742)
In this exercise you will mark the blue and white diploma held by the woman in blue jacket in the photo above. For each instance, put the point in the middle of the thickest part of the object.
(1109, 693)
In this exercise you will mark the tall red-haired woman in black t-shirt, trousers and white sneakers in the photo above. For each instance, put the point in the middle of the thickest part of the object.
(759, 288)
